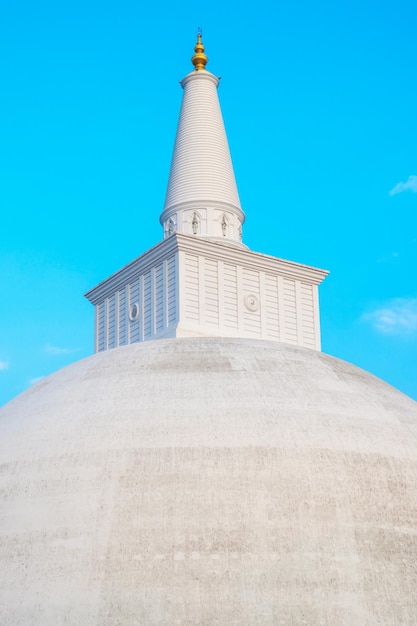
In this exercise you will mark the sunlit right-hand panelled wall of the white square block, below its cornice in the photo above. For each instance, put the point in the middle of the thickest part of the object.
(229, 299)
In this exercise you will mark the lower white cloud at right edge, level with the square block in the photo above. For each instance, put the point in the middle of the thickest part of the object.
(395, 317)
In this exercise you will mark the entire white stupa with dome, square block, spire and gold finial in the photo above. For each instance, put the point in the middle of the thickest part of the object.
(209, 464)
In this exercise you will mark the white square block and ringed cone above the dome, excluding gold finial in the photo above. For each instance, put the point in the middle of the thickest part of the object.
(201, 280)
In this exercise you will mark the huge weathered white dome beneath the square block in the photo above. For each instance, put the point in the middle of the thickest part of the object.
(209, 481)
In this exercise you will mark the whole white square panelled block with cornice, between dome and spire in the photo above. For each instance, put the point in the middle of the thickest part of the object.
(189, 287)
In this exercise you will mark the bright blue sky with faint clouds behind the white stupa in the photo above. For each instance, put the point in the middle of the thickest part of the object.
(319, 101)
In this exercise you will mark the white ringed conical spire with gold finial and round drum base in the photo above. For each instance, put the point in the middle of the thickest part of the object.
(202, 197)
